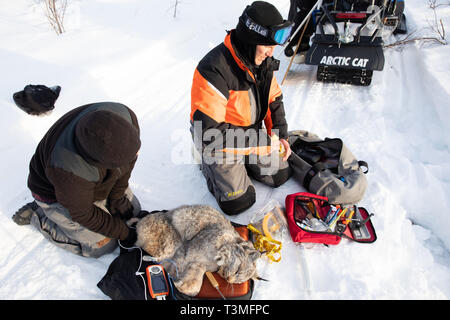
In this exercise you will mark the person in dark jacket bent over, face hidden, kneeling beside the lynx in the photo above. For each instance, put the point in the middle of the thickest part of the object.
(79, 179)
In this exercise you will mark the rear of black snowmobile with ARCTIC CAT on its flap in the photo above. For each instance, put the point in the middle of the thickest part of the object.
(347, 45)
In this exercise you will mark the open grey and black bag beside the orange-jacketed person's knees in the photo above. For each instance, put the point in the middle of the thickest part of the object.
(327, 168)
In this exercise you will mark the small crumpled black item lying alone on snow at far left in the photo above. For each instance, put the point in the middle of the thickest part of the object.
(37, 99)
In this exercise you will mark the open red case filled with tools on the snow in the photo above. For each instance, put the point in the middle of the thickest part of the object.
(299, 205)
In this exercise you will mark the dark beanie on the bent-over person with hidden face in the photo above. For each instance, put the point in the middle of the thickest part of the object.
(106, 139)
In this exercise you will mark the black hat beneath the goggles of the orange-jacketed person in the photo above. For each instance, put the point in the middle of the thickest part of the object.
(264, 14)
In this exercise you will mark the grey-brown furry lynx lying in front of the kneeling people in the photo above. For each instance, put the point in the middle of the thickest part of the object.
(196, 239)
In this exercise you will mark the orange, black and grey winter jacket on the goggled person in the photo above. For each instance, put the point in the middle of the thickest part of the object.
(226, 94)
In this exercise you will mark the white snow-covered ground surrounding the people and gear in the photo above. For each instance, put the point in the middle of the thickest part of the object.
(135, 52)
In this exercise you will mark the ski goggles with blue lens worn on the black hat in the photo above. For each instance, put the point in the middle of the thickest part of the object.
(279, 33)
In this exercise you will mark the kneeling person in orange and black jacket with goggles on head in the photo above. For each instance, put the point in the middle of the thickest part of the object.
(237, 111)
